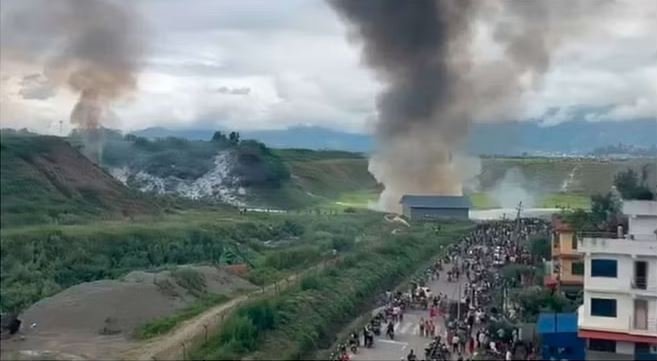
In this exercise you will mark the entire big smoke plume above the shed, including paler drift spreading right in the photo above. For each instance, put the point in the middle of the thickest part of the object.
(434, 85)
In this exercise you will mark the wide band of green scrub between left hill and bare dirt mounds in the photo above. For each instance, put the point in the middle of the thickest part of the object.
(38, 261)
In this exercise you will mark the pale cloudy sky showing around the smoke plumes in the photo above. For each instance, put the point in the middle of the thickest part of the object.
(261, 64)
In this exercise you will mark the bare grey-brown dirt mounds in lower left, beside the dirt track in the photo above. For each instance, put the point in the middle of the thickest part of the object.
(96, 320)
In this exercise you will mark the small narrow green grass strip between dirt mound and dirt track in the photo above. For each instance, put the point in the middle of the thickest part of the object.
(163, 325)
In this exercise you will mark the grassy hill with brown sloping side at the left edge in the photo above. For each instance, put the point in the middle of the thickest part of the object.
(45, 180)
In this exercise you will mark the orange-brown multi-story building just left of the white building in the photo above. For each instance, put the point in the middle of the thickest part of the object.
(567, 263)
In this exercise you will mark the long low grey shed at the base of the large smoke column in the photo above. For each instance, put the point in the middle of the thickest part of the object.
(430, 208)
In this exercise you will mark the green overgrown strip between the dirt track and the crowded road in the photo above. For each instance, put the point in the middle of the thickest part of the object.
(292, 324)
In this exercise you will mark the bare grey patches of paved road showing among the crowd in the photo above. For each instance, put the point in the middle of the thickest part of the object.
(407, 332)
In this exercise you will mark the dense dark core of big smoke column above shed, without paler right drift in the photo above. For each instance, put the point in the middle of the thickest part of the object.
(415, 47)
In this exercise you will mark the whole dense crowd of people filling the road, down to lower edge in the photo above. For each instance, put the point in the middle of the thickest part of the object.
(470, 320)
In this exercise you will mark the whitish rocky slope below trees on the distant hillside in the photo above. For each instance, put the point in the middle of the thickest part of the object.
(218, 183)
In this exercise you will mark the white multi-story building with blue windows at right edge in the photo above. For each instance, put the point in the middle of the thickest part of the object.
(619, 313)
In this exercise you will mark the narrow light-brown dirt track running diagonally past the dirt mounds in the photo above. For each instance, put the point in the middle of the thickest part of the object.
(192, 333)
